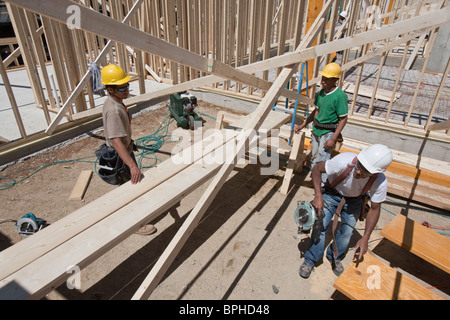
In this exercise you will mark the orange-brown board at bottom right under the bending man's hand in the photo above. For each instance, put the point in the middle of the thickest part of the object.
(372, 279)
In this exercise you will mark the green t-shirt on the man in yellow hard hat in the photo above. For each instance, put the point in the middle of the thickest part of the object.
(332, 107)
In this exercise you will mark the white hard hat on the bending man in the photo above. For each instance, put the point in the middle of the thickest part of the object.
(375, 158)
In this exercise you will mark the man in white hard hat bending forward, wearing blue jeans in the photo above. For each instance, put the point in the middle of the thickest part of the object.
(356, 174)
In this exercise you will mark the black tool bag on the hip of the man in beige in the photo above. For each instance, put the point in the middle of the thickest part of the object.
(111, 168)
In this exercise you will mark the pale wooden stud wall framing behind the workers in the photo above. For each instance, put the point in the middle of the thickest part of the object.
(196, 51)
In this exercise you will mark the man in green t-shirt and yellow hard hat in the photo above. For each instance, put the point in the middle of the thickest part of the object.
(329, 117)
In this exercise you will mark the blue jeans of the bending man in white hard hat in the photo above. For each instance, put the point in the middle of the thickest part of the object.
(349, 217)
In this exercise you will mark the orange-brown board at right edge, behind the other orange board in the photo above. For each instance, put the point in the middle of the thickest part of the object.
(419, 240)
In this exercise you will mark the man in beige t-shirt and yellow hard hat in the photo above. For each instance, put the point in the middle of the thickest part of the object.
(117, 128)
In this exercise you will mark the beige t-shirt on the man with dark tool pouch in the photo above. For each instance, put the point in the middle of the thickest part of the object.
(116, 123)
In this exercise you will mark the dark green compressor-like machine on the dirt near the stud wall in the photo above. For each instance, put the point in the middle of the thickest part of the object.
(182, 107)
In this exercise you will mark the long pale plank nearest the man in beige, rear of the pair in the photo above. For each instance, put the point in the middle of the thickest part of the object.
(25, 251)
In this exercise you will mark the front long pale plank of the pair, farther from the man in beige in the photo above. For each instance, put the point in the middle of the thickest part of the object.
(84, 247)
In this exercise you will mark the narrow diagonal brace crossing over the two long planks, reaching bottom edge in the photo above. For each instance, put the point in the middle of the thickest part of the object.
(254, 123)
